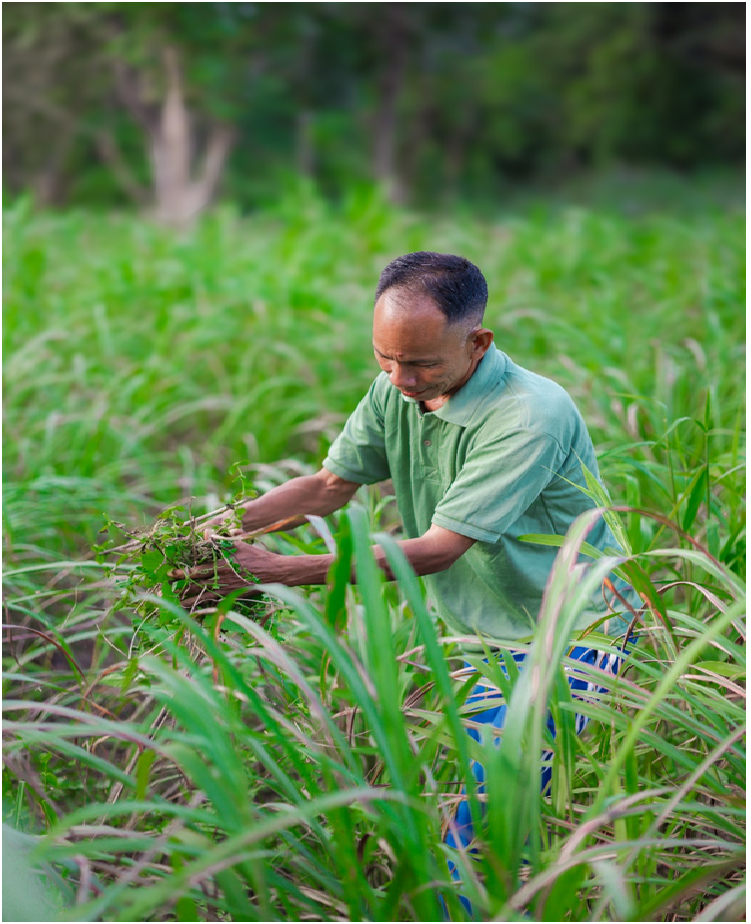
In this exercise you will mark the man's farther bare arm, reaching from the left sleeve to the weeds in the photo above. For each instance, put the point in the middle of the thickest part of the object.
(289, 503)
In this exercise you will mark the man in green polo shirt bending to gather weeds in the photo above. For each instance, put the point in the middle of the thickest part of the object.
(480, 452)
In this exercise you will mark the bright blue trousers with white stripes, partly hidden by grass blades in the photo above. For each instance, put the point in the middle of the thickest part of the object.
(496, 717)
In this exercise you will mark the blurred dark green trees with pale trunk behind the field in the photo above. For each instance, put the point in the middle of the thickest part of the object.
(166, 106)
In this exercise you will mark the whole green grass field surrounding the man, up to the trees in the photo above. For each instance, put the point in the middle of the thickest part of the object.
(259, 770)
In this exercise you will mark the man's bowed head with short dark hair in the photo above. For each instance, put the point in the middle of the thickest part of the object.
(427, 324)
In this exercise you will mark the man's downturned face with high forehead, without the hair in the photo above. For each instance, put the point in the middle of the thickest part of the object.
(423, 355)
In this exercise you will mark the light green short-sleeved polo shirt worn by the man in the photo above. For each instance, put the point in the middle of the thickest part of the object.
(493, 463)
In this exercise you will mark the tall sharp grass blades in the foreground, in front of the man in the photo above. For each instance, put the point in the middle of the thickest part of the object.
(304, 773)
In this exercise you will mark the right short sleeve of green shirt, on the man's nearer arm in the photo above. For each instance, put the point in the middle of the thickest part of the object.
(501, 477)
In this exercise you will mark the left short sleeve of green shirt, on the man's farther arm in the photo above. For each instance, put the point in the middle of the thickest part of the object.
(359, 452)
